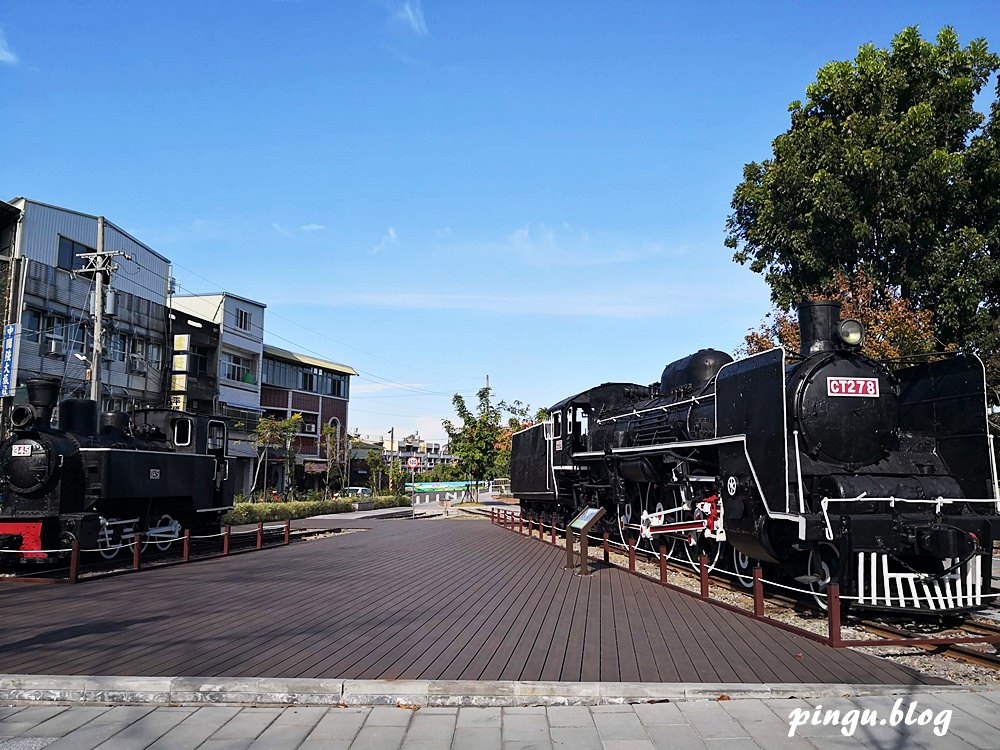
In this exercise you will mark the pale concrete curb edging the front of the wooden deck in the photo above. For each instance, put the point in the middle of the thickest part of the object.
(309, 692)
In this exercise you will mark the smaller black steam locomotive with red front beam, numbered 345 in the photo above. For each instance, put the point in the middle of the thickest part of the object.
(100, 479)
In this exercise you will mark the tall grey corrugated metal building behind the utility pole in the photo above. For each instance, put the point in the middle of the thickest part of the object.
(54, 306)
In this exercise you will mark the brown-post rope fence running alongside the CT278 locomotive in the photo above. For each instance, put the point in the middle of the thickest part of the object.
(831, 594)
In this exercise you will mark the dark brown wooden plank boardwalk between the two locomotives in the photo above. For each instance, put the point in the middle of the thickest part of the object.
(433, 599)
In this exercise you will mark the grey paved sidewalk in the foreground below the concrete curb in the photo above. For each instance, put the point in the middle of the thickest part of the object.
(971, 719)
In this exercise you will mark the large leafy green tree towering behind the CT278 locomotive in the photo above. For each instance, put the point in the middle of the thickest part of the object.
(886, 170)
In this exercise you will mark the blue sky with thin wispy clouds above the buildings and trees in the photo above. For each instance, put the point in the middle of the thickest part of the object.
(433, 192)
